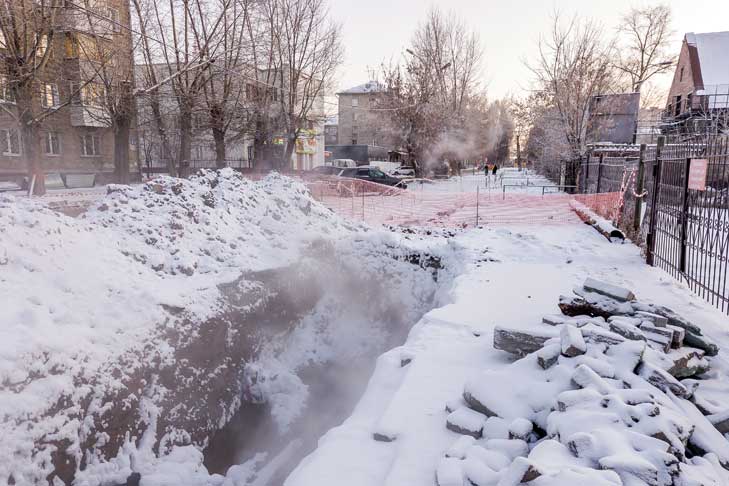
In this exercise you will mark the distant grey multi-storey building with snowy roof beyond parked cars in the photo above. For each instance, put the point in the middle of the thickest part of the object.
(361, 119)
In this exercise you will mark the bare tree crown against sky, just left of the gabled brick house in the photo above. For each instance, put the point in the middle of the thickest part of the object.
(645, 50)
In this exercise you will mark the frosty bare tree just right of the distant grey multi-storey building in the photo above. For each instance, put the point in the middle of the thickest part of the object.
(438, 107)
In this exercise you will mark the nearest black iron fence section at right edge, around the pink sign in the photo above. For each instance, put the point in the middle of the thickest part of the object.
(689, 228)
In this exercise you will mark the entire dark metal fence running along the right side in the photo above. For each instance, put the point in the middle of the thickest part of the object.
(684, 230)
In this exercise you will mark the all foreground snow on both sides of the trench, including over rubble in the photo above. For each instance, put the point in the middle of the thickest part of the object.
(116, 273)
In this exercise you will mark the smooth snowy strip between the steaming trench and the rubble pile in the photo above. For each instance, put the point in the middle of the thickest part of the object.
(533, 267)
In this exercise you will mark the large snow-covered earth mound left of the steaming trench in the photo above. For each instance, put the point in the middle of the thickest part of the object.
(83, 297)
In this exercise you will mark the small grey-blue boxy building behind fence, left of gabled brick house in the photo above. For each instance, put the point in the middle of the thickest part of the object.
(613, 118)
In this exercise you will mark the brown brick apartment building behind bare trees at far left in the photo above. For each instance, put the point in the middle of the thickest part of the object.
(75, 134)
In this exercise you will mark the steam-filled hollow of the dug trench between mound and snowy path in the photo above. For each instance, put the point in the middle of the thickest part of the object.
(357, 315)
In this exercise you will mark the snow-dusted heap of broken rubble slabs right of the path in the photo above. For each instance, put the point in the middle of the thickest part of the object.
(604, 394)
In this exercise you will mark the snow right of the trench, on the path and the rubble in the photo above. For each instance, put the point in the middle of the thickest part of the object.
(531, 267)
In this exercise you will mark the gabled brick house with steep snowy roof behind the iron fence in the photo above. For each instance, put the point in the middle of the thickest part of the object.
(699, 96)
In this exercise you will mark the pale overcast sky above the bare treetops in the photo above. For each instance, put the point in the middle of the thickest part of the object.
(377, 30)
